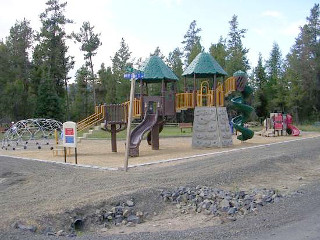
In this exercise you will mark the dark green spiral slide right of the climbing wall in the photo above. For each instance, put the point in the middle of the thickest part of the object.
(238, 122)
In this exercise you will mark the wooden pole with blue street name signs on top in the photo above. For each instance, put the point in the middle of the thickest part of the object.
(133, 76)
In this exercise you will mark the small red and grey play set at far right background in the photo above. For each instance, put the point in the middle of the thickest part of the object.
(279, 124)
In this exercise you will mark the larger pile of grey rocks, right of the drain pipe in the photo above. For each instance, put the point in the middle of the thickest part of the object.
(218, 202)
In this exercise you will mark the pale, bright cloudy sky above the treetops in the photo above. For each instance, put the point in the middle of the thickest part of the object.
(147, 24)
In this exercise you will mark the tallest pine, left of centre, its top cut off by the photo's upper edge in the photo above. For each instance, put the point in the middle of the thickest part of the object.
(50, 56)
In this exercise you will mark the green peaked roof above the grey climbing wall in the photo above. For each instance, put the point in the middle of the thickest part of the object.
(204, 65)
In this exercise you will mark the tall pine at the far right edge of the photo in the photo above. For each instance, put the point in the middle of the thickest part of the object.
(303, 70)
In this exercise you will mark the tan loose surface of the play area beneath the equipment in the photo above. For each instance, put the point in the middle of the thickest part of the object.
(98, 152)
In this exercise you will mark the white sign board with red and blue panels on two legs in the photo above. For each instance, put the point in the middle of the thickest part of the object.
(70, 139)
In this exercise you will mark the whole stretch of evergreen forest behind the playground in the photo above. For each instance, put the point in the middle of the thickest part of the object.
(35, 65)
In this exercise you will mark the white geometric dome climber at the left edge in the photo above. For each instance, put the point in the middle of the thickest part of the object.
(31, 132)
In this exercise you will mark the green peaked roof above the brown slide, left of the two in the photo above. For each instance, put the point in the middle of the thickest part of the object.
(155, 70)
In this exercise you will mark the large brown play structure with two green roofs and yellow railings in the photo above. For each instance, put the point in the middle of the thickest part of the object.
(208, 89)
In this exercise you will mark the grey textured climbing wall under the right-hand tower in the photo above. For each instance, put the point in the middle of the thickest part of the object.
(211, 128)
